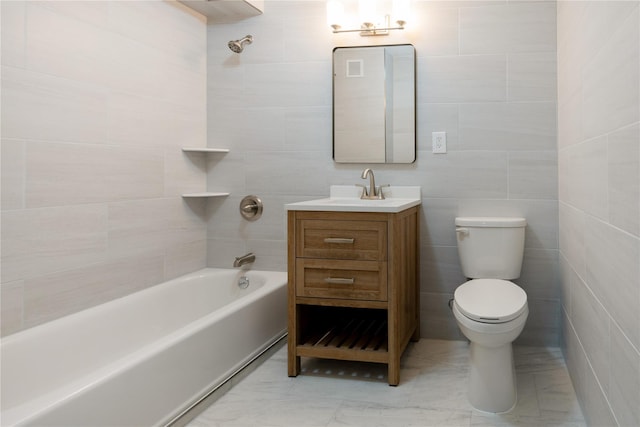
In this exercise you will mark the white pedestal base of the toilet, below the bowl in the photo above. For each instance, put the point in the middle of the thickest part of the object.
(492, 378)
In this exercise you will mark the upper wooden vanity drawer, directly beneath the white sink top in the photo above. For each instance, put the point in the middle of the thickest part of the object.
(337, 239)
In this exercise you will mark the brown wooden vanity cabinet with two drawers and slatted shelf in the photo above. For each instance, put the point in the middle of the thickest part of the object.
(353, 286)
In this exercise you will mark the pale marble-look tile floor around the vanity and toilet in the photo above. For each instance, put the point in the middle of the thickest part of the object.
(432, 392)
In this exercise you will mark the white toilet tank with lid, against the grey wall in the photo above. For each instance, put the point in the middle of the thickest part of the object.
(491, 247)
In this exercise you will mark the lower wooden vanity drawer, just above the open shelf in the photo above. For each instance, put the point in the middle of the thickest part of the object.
(358, 280)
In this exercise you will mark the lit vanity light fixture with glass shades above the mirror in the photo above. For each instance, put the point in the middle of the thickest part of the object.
(372, 24)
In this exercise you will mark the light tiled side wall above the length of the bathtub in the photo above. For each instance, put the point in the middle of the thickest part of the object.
(97, 99)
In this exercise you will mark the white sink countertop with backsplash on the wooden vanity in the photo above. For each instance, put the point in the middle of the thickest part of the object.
(346, 198)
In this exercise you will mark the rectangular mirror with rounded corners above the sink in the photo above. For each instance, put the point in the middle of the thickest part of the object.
(374, 104)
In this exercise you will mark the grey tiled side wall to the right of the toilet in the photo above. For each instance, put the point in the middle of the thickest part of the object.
(599, 204)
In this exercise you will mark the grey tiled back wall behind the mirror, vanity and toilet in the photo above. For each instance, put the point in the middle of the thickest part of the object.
(486, 74)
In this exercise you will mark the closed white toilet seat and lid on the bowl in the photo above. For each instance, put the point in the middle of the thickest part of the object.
(490, 300)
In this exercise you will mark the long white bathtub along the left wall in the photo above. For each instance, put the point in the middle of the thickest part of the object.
(143, 359)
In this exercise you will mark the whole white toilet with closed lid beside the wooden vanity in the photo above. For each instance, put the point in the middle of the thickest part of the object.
(490, 310)
